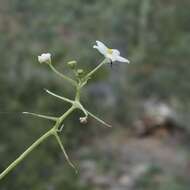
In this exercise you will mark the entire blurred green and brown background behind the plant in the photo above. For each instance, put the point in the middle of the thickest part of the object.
(147, 101)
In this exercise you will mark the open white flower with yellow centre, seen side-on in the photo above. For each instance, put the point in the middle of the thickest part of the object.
(112, 54)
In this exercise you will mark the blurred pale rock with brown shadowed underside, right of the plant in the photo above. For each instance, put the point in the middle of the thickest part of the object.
(156, 117)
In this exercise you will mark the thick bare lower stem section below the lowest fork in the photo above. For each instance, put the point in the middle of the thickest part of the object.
(24, 154)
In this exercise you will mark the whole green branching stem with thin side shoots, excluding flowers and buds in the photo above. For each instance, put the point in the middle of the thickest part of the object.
(58, 120)
